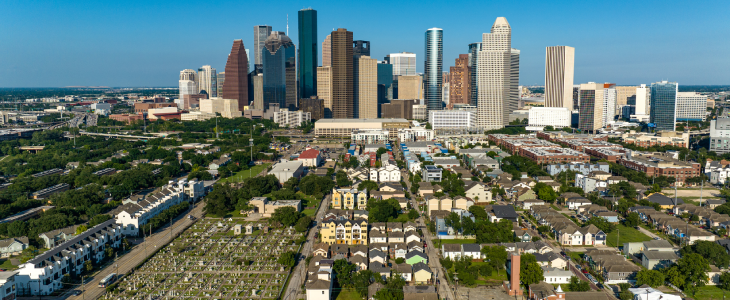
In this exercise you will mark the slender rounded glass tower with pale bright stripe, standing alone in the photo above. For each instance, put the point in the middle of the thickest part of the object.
(433, 67)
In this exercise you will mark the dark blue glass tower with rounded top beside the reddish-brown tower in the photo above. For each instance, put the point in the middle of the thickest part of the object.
(279, 65)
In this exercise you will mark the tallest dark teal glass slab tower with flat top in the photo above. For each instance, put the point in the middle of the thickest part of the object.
(307, 53)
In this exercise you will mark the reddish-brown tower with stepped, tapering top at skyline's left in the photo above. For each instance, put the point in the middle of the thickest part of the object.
(235, 85)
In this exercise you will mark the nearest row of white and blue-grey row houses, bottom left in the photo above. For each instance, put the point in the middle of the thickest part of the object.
(43, 273)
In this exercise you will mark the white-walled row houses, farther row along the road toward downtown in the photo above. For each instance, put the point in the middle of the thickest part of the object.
(137, 211)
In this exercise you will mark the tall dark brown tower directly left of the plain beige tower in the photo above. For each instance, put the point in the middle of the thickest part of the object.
(342, 74)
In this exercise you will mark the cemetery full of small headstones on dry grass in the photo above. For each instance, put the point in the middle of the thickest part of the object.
(214, 259)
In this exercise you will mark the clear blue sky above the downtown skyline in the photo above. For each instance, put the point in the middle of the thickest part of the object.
(146, 43)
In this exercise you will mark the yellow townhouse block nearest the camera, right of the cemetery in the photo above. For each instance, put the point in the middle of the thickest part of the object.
(350, 232)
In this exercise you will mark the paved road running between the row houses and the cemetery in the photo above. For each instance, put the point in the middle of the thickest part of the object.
(130, 260)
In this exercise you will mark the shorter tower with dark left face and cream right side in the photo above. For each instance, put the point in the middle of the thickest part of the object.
(590, 96)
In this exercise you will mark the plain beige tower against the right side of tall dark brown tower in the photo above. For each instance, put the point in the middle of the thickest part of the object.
(365, 87)
